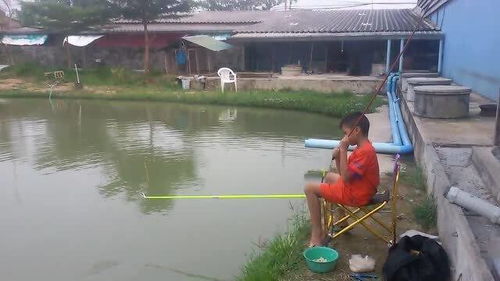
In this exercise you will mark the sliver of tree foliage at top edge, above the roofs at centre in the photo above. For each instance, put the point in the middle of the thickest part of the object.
(238, 5)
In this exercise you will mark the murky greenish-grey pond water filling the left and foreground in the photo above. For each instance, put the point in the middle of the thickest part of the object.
(72, 172)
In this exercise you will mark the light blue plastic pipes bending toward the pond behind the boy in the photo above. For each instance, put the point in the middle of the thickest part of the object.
(401, 142)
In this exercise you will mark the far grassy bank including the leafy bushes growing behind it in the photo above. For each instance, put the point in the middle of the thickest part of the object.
(121, 84)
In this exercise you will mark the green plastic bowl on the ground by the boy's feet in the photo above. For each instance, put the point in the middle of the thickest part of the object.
(312, 254)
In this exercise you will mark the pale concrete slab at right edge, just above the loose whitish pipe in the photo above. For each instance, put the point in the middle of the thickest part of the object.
(489, 169)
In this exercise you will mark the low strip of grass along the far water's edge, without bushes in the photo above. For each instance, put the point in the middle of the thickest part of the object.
(335, 105)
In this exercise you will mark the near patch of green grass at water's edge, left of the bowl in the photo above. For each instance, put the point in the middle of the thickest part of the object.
(280, 255)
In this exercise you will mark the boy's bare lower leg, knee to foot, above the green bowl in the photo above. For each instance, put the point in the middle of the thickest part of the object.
(312, 191)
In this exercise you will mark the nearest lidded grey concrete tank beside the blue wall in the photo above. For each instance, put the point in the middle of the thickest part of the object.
(442, 101)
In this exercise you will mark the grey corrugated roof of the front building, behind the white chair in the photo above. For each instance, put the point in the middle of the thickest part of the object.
(341, 21)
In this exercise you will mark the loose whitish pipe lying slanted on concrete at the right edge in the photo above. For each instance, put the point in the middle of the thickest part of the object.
(472, 203)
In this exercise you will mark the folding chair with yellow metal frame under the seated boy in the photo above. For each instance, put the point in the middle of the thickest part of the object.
(362, 215)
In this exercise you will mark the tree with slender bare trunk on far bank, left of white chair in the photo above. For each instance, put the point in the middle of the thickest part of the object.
(147, 11)
